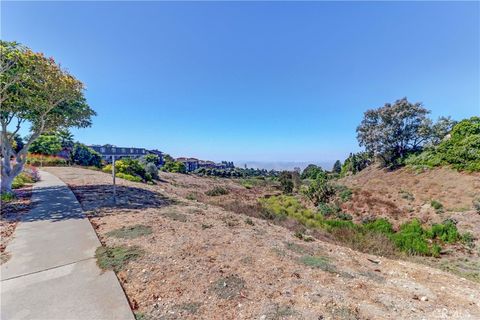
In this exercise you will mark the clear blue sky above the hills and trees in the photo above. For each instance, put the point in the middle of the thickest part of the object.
(271, 81)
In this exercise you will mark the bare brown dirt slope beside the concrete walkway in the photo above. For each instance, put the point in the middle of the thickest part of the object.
(203, 262)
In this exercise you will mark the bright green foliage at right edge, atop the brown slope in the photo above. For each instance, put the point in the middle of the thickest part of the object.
(461, 149)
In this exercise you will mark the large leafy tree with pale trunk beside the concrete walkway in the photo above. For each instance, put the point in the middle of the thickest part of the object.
(36, 91)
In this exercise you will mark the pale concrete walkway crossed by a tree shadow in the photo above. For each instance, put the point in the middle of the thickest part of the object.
(52, 272)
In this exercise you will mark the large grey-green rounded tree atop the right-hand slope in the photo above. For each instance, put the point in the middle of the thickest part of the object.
(393, 131)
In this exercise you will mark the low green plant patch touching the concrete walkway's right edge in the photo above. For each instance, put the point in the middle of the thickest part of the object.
(116, 258)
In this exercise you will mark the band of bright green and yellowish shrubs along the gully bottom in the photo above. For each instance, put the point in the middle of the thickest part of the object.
(411, 238)
